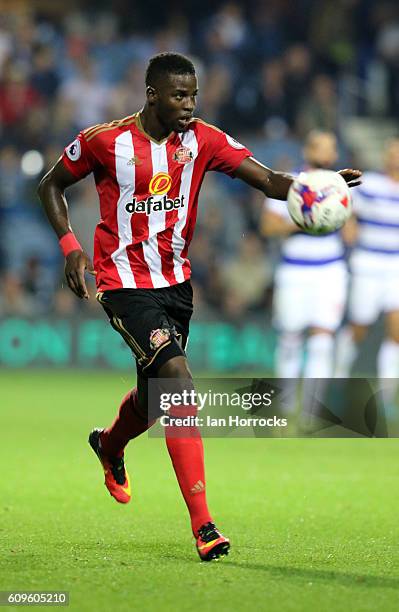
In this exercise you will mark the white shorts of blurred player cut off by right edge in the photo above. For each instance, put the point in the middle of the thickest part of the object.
(374, 286)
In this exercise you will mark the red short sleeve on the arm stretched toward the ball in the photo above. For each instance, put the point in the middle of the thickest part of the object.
(226, 153)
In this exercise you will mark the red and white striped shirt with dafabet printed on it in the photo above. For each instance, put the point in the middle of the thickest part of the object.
(148, 193)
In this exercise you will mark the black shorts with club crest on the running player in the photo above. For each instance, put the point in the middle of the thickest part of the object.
(153, 322)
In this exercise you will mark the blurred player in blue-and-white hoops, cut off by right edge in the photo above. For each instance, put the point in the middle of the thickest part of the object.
(374, 268)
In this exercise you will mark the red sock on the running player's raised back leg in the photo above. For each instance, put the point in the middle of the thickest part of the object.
(128, 425)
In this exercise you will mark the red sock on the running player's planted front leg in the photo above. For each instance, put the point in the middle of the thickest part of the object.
(187, 453)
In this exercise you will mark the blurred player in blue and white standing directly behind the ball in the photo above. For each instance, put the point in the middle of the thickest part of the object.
(310, 281)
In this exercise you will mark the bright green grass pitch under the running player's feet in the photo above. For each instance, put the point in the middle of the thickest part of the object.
(313, 523)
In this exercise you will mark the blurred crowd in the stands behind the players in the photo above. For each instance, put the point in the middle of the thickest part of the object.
(269, 70)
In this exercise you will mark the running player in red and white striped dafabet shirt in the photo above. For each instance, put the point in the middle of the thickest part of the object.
(148, 170)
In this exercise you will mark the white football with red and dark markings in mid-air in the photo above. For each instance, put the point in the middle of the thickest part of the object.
(319, 201)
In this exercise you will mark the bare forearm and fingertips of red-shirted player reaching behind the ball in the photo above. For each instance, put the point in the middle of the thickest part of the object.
(276, 184)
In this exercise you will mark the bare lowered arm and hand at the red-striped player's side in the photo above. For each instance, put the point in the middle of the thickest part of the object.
(51, 193)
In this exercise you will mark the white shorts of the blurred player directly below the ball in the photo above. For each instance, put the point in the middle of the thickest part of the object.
(310, 296)
